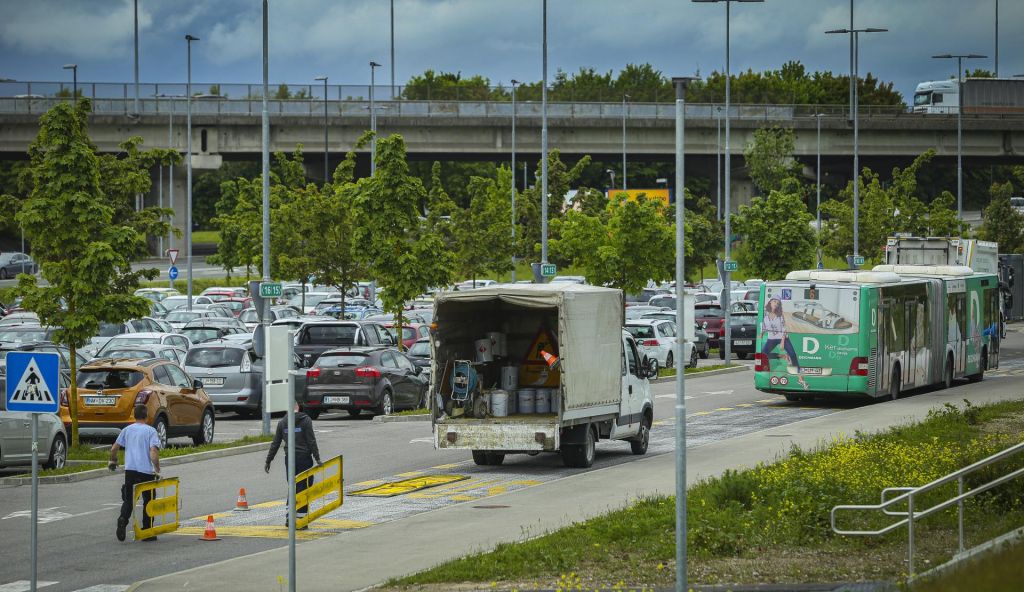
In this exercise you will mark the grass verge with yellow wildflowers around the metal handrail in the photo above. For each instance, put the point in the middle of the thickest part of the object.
(772, 524)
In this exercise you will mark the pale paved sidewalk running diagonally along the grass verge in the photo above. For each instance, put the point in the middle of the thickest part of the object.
(361, 559)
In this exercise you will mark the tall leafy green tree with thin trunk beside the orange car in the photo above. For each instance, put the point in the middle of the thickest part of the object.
(84, 256)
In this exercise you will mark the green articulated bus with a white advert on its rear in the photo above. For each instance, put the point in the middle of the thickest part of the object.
(876, 333)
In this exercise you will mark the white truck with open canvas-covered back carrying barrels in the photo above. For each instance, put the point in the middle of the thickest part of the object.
(527, 369)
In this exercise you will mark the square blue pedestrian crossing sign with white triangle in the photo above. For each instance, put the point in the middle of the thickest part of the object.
(33, 382)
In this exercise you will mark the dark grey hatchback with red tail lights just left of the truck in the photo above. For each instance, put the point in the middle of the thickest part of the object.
(376, 379)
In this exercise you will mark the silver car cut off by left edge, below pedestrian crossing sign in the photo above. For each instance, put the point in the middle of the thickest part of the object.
(16, 438)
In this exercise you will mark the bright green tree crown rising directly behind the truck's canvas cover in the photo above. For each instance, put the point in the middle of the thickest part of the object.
(631, 244)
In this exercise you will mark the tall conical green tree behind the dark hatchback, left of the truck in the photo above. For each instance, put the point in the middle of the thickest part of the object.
(407, 253)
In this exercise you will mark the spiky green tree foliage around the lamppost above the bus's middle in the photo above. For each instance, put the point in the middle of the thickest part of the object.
(885, 210)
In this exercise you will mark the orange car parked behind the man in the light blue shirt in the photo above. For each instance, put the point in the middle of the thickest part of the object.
(109, 391)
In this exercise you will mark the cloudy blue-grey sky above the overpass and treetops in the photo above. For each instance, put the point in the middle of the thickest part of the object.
(500, 39)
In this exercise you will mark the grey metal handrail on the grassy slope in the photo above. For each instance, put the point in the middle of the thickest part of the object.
(909, 494)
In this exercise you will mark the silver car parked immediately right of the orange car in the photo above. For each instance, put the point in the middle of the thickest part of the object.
(231, 373)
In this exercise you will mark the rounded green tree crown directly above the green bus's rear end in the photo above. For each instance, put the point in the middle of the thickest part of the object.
(778, 236)
